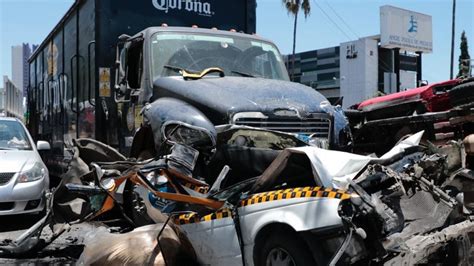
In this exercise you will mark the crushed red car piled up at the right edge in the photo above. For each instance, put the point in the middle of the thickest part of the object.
(443, 110)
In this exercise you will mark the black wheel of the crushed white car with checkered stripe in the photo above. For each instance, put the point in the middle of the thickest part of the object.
(284, 247)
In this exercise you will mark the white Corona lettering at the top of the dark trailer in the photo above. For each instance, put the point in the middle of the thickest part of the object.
(195, 6)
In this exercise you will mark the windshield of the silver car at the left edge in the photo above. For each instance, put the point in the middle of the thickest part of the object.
(13, 136)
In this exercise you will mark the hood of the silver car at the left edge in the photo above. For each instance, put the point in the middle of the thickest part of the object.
(13, 161)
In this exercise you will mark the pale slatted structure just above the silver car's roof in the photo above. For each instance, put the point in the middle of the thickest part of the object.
(12, 99)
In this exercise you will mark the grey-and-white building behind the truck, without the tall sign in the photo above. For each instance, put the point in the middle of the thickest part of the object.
(355, 71)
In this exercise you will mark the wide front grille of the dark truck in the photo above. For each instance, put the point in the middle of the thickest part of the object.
(319, 126)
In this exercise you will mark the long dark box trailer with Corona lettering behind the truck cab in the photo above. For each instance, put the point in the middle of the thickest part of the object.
(71, 80)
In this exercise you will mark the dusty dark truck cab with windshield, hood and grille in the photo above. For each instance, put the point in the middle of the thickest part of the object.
(225, 77)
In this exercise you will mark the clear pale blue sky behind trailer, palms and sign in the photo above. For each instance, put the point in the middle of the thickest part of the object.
(330, 23)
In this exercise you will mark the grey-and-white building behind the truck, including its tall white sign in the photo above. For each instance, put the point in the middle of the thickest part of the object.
(368, 67)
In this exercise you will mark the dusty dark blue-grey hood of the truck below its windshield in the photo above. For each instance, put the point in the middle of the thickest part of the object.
(234, 94)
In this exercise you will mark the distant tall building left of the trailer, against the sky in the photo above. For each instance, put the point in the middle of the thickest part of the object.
(20, 67)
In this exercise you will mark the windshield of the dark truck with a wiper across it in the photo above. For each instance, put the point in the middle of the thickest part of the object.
(237, 56)
